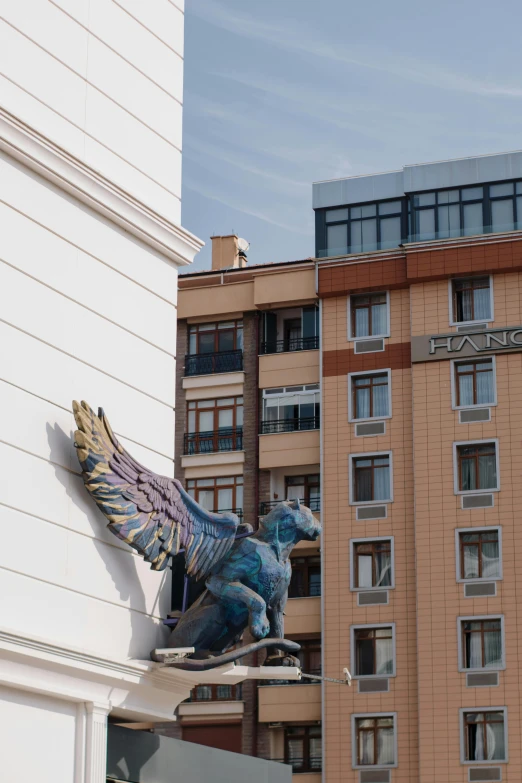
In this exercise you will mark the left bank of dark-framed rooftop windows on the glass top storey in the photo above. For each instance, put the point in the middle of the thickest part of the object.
(362, 228)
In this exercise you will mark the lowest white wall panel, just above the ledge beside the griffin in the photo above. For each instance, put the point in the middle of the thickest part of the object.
(70, 619)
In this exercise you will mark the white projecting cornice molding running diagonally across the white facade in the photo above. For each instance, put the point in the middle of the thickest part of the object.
(55, 164)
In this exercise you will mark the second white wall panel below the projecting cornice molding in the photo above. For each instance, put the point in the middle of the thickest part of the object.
(60, 265)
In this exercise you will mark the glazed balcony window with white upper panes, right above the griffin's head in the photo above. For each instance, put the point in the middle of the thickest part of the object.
(291, 408)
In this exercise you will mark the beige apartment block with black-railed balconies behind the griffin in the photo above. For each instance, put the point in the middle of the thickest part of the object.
(247, 437)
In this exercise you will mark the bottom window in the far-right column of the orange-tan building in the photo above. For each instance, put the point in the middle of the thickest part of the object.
(484, 734)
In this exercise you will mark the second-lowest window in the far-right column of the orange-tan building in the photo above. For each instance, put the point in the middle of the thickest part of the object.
(481, 643)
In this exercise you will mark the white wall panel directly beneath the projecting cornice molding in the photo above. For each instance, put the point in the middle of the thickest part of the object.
(62, 214)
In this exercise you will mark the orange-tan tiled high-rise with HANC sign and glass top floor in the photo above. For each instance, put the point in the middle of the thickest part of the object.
(419, 279)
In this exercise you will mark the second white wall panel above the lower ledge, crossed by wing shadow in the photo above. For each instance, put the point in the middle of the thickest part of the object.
(83, 565)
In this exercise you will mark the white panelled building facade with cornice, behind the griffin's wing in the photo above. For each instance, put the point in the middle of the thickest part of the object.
(90, 246)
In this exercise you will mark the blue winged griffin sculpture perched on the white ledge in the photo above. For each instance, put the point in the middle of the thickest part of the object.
(246, 578)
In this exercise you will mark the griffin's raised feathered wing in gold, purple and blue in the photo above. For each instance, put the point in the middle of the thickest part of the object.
(152, 513)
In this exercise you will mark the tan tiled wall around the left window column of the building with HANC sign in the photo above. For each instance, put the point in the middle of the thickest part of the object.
(339, 526)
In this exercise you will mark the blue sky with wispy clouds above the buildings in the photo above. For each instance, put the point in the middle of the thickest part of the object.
(281, 93)
